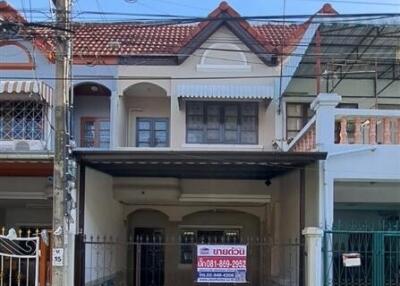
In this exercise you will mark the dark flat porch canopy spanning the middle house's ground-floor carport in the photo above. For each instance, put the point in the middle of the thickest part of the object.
(196, 164)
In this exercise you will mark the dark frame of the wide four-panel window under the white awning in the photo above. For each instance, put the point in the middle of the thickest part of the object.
(222, 129)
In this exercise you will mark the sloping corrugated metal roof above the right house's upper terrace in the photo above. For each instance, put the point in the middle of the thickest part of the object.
(355, 50)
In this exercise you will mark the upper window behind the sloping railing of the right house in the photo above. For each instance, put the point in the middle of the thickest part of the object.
(297, 116)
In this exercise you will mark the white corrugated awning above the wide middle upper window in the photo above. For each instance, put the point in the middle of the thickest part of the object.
(226, 92)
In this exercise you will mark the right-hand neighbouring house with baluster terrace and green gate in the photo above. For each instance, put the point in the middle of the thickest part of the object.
(356, 119)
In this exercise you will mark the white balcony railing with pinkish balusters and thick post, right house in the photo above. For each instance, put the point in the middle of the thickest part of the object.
(338, 126)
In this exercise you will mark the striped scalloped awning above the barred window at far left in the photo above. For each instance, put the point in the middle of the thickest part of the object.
(26, 90)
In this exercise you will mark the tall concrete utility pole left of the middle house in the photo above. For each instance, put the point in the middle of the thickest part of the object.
(60, 215)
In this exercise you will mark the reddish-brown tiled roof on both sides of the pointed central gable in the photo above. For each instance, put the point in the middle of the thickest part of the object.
(132, 39)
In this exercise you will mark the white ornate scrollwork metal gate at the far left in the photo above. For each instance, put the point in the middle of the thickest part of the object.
(19, 260)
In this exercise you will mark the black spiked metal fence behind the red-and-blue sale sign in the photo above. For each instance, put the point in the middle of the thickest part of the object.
(160, 261)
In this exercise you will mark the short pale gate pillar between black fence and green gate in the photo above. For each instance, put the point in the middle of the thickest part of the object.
(314, 266)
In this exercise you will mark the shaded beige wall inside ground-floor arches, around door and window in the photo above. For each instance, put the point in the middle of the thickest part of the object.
(183, 274)
